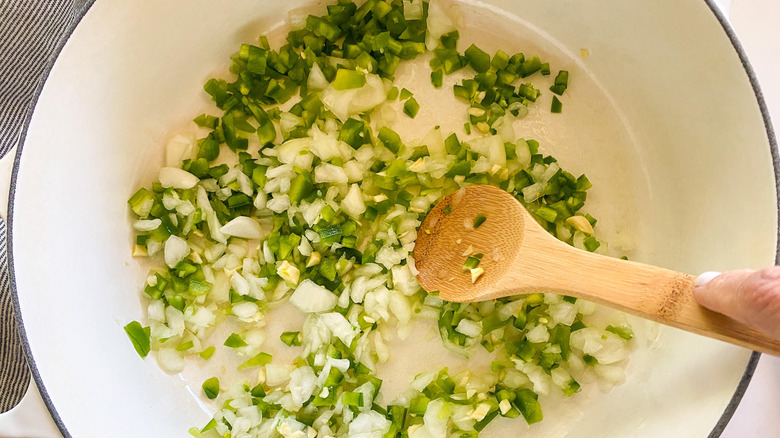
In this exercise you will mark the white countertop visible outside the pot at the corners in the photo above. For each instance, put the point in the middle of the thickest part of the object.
(756, 24)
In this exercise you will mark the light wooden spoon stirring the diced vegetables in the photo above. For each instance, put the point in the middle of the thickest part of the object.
(520, 257)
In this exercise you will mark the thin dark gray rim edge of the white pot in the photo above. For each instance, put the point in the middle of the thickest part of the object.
(719, 426)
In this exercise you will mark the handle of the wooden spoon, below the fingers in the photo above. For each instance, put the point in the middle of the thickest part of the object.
(659, 294)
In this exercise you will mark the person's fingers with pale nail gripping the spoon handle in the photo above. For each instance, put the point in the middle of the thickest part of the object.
(750, 297)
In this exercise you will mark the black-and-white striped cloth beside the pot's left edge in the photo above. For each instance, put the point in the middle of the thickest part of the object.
(31, 34)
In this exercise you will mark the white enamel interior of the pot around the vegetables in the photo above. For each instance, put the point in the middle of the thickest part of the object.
(669, 133)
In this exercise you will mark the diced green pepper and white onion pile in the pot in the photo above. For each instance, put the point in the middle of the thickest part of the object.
(297, 194)
